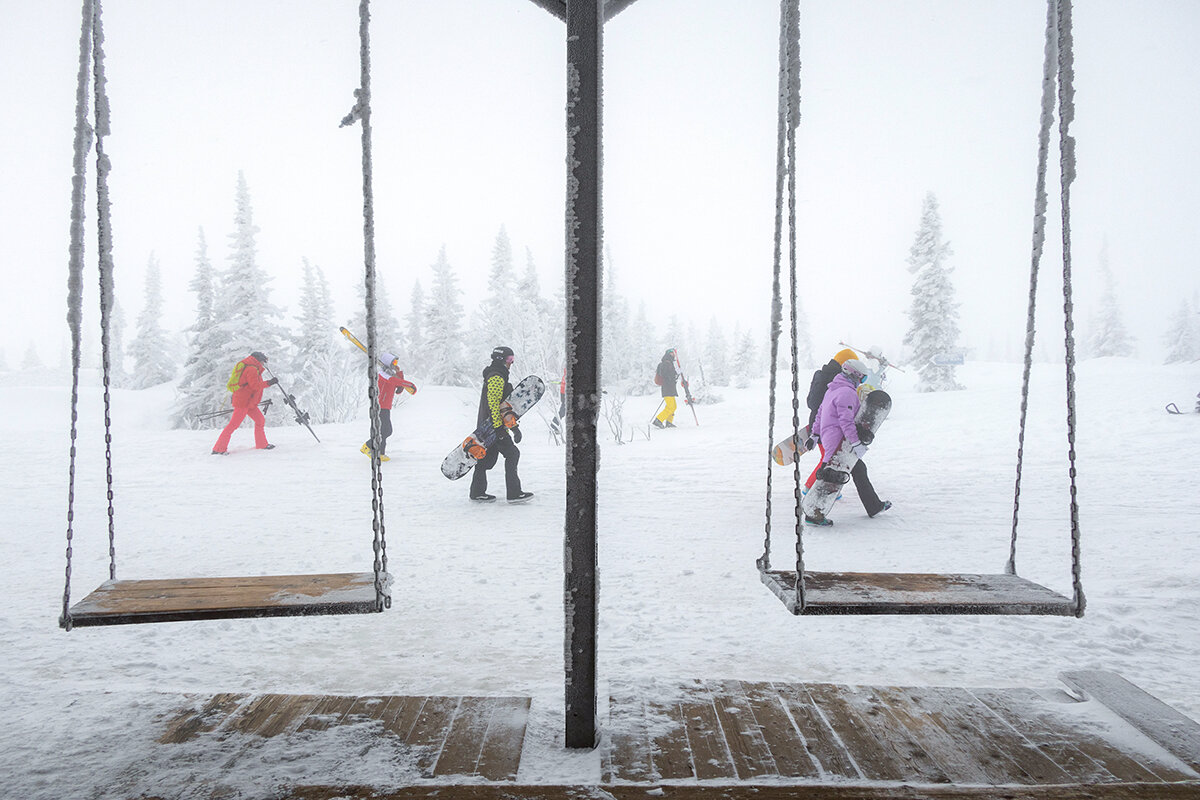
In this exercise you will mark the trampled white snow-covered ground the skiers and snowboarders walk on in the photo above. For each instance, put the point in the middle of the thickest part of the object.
(478, 590)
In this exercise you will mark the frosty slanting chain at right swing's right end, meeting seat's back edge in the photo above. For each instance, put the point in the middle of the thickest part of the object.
(1049, 75)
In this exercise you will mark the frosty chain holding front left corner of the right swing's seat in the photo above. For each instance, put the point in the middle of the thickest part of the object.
(791, 67)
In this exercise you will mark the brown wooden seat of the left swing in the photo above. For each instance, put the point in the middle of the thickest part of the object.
(122, 603)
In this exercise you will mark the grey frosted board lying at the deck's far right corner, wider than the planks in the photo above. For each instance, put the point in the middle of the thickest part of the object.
(1177, 733)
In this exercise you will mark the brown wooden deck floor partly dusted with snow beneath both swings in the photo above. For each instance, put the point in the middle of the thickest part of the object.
(718, 741)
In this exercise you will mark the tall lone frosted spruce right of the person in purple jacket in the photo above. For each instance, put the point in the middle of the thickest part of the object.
(934, 315)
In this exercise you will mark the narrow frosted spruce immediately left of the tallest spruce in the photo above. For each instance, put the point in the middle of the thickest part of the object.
(206, 370)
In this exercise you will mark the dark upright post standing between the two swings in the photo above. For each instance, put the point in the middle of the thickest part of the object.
(585, 37)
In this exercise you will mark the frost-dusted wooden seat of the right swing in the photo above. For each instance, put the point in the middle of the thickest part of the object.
(916, 593)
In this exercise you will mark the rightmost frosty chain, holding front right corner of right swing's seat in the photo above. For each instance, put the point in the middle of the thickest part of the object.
(1067, 166)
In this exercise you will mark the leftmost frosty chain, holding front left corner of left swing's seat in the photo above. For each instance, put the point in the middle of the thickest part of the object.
(75, 275)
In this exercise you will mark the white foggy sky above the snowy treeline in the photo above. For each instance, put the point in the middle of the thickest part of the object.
(469, 127)
